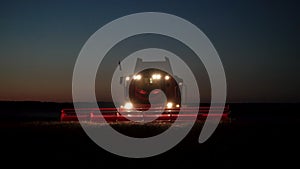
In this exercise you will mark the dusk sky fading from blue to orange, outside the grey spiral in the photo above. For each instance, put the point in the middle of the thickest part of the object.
(257, 41)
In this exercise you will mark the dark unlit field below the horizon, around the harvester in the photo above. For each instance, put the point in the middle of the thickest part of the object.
(260, 135)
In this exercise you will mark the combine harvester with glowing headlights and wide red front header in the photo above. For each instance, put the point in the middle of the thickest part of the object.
(150, 76)
